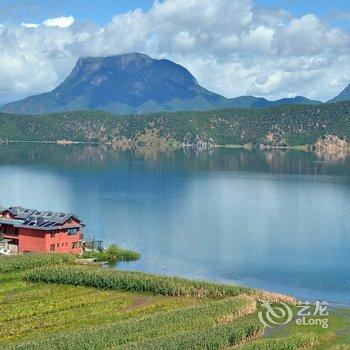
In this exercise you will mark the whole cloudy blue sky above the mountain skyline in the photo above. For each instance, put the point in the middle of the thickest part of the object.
(269, 48)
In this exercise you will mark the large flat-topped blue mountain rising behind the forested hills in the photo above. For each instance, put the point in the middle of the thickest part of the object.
(133, 83)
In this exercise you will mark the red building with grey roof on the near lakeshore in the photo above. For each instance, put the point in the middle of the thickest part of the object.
(35, 231)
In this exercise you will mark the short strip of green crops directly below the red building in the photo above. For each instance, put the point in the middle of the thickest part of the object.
(27, 261)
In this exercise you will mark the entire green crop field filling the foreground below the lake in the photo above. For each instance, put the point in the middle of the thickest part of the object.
(53, 302)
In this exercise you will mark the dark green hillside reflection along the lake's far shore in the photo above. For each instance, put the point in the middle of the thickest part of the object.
(93, 157)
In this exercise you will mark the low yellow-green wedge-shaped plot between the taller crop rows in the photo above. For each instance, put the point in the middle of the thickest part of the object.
(30, 310)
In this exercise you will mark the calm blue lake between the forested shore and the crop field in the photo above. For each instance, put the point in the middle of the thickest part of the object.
(274, 220)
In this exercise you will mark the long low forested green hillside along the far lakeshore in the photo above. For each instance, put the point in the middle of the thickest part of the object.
(283, 126)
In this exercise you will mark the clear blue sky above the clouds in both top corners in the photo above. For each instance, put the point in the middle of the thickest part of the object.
(336, 12)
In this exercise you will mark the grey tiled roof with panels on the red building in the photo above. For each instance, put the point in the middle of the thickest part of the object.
(32, 218)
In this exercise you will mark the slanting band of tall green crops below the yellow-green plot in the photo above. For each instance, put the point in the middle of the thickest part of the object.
(199, 319)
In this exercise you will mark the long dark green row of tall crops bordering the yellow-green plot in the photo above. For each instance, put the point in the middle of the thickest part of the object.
(133, 281)
